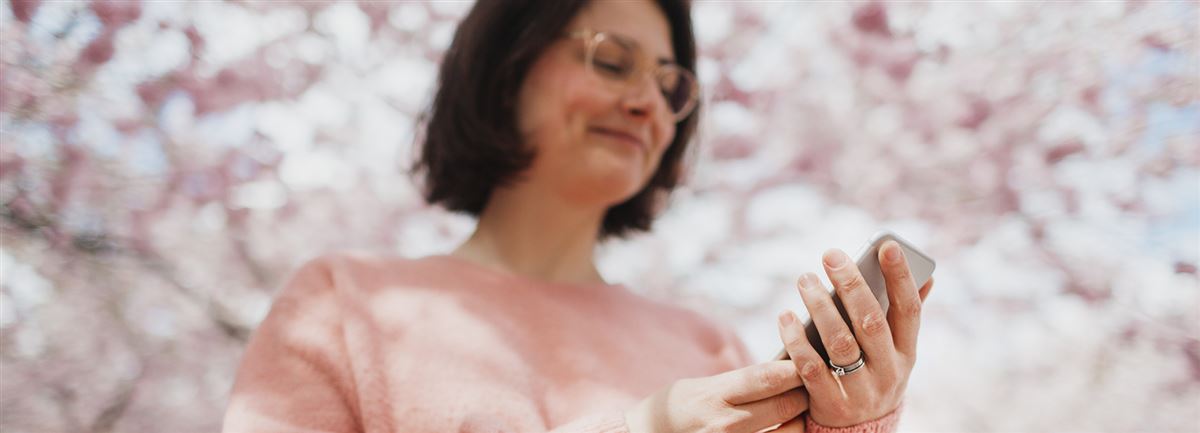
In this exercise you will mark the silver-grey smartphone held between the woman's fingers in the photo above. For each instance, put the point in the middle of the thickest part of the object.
(868, 260)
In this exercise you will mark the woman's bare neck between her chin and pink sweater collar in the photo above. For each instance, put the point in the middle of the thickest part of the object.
(536, 234)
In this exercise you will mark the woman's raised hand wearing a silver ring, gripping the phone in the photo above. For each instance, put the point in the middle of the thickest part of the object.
(889, 347)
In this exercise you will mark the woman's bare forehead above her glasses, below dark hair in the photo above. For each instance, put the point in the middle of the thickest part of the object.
(640, 21)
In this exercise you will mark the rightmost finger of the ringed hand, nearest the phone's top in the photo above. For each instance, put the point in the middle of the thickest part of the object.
(904, 311)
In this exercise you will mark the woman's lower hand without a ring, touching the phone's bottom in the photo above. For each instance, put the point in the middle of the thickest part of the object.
(742, 401)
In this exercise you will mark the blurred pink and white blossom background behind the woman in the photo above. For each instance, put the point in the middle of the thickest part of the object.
(165, 166)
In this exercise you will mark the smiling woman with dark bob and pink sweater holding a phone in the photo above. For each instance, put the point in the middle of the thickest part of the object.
(559, 124)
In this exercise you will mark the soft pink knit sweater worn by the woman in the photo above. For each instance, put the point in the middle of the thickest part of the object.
(380, 345)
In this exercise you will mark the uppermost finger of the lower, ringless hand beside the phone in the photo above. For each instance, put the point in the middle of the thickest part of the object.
(759, 382)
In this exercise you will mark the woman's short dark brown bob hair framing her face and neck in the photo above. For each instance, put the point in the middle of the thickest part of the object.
(471, 142)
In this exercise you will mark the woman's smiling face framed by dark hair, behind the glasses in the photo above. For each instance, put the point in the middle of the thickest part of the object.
(575, 122)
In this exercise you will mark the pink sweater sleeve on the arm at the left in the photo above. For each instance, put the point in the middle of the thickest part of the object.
(295, 376)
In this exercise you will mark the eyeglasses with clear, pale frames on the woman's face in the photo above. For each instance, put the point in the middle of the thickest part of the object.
(621, 63)
